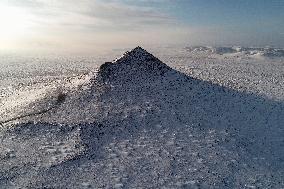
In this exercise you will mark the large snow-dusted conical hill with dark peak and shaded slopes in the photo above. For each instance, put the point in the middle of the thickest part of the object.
(140, 124)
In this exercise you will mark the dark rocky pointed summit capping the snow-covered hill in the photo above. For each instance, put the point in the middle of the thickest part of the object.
(135, 65)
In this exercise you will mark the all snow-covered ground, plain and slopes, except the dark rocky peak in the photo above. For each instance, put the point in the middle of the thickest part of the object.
(216, 120)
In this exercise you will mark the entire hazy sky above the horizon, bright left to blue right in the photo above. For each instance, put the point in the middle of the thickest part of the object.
(101, 24)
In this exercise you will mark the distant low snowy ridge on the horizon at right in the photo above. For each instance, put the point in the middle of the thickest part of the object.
(263, 51)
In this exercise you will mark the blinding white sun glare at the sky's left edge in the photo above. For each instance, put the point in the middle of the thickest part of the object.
(13, 23)
